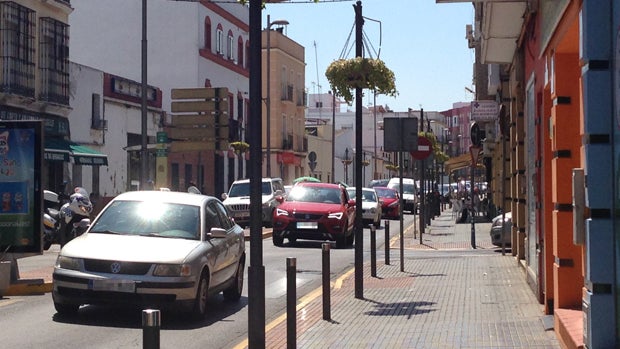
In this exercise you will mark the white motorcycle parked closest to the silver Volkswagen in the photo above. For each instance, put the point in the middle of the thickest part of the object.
(74, 216)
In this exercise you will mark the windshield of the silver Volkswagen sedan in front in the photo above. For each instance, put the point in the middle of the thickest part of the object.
(149, 218)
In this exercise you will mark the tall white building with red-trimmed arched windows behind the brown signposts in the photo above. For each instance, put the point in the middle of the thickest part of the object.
(189, 45)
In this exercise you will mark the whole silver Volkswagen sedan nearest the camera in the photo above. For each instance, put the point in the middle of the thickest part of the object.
(153, 248)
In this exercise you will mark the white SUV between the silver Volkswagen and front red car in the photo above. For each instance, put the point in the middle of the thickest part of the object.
(237, 200)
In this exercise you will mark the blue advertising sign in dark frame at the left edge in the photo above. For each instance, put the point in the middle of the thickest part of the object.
(21, 151)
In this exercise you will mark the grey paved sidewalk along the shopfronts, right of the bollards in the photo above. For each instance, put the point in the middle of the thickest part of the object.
(449, 296)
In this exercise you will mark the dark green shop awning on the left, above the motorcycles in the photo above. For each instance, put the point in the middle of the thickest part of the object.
(57, 149)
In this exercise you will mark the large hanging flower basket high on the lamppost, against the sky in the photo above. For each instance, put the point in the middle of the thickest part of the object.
(345, 75)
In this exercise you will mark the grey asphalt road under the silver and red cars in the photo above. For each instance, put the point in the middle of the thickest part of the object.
(32, 322)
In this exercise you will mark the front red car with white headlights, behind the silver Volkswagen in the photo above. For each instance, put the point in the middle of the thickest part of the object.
(315, 211)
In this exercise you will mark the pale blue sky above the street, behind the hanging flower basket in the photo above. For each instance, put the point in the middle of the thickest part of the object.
(422, 42)
